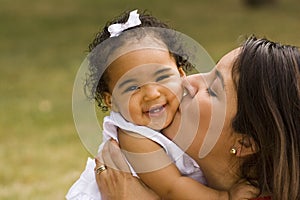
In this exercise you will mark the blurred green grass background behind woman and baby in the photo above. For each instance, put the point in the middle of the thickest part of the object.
(42, 44)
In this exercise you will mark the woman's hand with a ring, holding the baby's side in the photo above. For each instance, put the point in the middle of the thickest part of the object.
(116, 181)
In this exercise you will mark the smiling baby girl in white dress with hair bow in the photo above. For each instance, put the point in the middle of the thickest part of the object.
(135, 72)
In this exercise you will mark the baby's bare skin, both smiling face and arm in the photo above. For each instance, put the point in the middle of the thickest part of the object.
(146, 89)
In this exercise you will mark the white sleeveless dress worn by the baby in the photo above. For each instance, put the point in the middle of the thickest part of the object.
(85, 188)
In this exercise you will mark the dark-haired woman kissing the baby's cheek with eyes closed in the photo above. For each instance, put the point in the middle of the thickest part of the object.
(259, 87)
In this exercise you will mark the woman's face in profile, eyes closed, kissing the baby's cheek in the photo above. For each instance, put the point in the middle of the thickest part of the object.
(203, 125)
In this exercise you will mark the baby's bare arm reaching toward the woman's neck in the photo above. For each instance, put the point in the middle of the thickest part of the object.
(156, 170)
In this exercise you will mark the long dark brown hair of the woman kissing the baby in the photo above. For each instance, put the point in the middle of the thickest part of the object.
(267, 80)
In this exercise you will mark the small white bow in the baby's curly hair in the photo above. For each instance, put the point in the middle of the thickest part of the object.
(133, 20)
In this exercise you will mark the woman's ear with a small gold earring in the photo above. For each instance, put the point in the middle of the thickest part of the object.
(245, 146)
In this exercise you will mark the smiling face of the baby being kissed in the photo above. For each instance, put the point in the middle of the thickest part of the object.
(145, 87)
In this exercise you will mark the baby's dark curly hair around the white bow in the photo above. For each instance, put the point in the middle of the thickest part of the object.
(97, 79)
